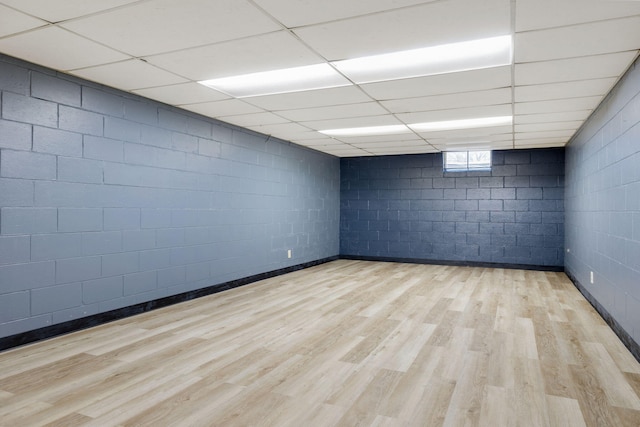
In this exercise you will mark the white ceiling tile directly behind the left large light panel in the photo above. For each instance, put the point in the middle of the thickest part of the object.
(310, 99)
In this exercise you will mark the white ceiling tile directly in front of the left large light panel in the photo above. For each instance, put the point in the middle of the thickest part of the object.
(250, 55)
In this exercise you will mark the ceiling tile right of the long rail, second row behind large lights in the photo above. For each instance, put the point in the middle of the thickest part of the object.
(543, 92)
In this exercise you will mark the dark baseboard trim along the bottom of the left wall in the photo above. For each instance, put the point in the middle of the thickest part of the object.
(120, 313)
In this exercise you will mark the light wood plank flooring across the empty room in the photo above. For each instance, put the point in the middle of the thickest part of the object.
(348, 343)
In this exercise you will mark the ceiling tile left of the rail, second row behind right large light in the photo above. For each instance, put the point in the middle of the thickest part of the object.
(450, 101)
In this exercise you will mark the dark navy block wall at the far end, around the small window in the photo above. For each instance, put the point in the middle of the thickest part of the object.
(407, 207)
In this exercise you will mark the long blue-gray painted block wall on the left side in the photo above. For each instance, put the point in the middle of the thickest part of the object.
(108, 200)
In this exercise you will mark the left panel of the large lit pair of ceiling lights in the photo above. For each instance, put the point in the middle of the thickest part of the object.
(310, 77)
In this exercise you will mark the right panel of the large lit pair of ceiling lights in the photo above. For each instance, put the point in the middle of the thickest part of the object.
(447, 58)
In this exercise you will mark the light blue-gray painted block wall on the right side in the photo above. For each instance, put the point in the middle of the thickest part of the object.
(603, 204)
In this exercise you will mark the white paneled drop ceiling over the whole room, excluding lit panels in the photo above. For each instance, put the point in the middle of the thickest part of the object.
(567, 55)
